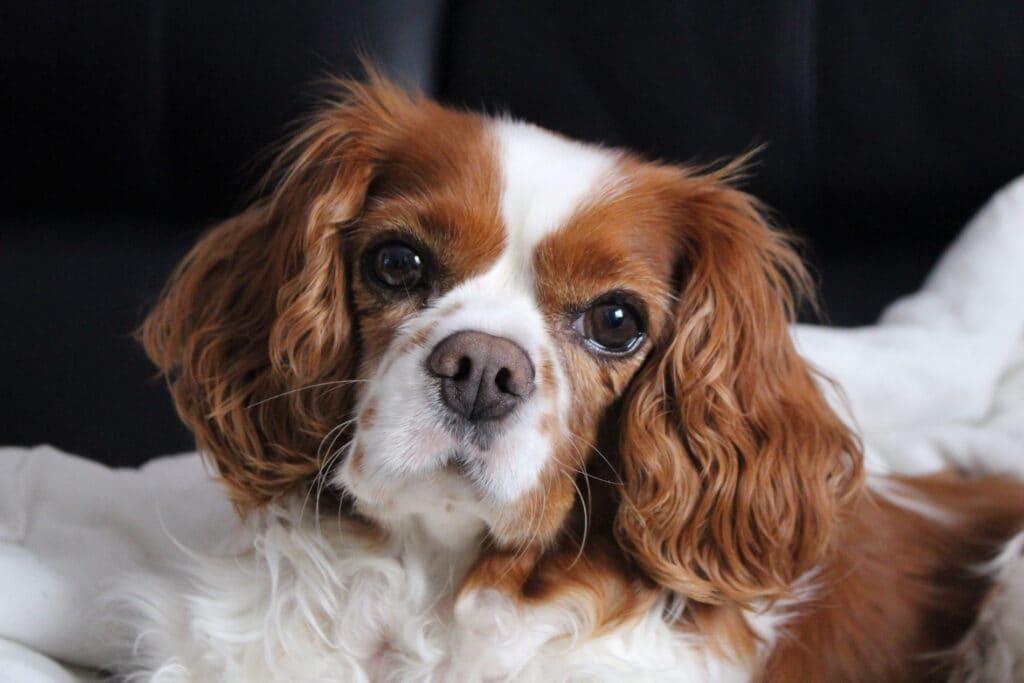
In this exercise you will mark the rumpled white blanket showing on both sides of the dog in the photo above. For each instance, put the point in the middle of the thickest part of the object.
(938, 380)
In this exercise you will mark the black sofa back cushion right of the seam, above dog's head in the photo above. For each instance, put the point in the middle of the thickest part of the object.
(886, 125)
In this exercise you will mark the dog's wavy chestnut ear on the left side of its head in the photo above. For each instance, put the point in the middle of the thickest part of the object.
(253, 331)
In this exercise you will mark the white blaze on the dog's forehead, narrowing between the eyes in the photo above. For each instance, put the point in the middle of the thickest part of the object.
(545, 179)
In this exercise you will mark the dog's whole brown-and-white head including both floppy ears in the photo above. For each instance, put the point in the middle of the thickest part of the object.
(438, 311)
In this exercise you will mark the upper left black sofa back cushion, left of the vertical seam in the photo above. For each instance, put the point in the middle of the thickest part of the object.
(167, 109)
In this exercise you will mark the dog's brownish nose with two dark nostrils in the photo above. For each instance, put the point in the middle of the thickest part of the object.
(483, 377)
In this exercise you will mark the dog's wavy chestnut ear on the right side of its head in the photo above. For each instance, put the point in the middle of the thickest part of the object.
(736, 467)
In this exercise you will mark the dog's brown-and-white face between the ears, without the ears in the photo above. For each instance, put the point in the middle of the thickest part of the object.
(507, 291)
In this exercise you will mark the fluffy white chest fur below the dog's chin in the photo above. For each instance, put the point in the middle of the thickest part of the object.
(321, 602)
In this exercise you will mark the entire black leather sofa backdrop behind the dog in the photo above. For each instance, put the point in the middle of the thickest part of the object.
(130, 126)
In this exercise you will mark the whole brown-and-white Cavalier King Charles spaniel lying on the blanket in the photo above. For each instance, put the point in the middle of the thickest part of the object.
(495, 405)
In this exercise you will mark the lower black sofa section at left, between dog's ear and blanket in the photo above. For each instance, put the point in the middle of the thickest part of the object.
(73, 294)
